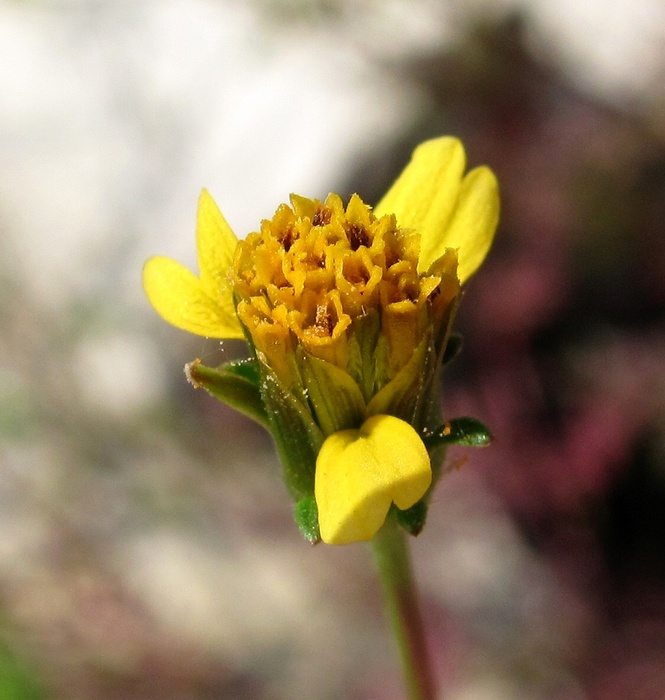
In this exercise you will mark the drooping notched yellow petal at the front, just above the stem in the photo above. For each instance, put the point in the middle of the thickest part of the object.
(359, 473)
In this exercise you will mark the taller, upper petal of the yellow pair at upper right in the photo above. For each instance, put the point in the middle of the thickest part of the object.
(424, 196)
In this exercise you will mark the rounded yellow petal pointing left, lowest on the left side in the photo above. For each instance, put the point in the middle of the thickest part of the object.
(178, 297)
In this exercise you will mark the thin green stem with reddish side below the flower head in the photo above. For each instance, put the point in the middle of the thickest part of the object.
(393, 561)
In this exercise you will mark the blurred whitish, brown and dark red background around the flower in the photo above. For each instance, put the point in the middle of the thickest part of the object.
(147, 548)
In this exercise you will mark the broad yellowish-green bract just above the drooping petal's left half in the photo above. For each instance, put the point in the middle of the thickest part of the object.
(335, 398)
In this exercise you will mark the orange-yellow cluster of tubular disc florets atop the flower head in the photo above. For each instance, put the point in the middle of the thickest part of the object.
(316, 267)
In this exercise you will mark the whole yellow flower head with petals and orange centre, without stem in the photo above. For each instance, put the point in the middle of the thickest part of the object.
(347, 311)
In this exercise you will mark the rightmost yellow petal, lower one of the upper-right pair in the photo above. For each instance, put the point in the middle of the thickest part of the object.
(472, 226)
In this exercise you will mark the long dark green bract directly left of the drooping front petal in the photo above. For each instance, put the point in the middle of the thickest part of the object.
(297, 437)
